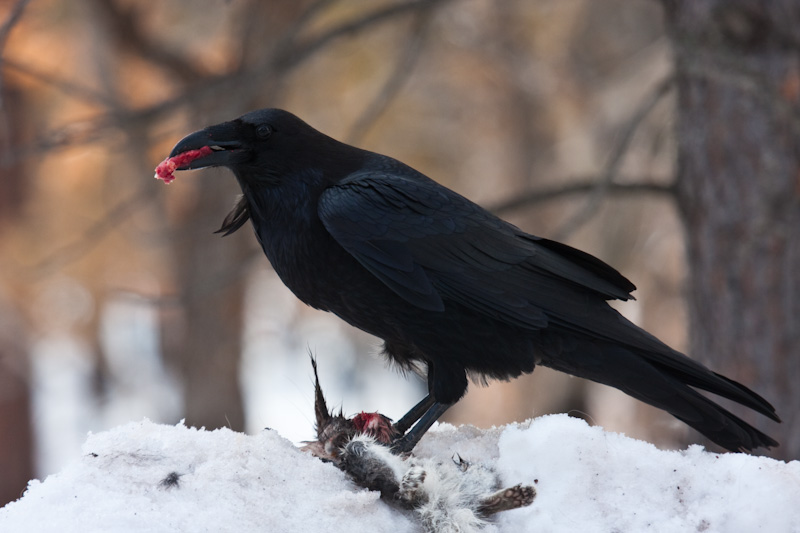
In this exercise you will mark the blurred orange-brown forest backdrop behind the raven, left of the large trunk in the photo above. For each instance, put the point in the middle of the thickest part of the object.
(118, 302)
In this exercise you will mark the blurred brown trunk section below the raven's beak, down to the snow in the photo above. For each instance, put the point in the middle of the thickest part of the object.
(208, 350)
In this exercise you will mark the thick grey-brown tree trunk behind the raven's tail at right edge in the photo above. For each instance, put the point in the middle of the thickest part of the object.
(738, 132)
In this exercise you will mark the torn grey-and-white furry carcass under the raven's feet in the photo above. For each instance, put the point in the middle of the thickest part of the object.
(448, 497)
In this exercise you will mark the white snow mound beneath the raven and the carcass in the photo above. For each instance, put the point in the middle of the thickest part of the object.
(587, 480)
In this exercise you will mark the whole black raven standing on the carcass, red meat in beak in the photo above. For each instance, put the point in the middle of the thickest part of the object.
(448, 286)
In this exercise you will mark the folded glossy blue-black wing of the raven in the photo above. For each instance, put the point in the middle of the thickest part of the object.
(429, 244)
